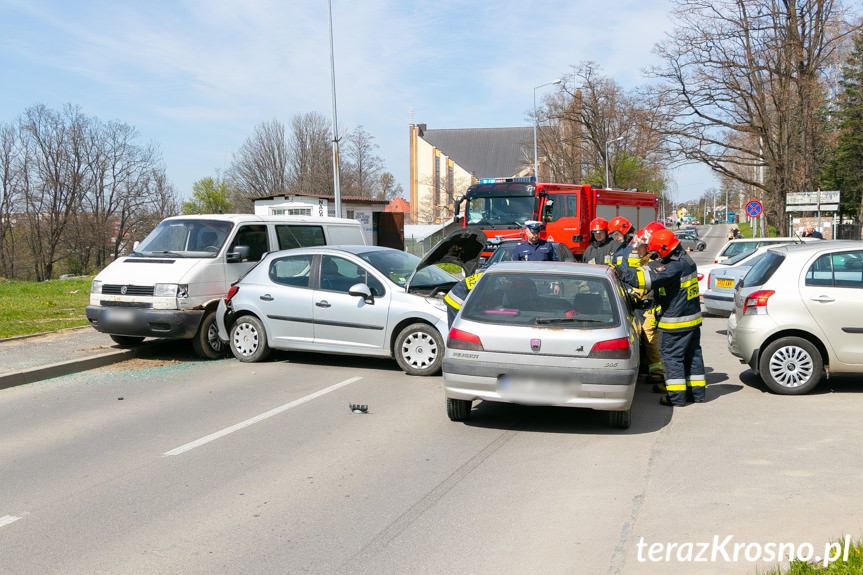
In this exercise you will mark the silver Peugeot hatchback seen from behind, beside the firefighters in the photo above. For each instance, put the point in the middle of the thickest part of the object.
(544, 333)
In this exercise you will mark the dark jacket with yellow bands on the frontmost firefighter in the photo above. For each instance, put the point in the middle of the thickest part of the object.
(674, 281)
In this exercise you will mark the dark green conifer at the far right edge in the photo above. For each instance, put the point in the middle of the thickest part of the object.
(844, 172)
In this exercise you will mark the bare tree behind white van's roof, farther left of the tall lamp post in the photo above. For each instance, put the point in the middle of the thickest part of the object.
(261, 166)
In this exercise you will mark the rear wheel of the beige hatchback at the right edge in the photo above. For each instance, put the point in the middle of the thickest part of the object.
(791, 366)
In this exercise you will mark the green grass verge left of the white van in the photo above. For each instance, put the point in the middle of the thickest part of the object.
(36, 307)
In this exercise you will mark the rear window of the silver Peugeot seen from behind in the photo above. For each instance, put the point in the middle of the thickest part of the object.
(560, 300)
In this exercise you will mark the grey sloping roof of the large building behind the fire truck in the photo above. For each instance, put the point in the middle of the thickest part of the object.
(485, 152)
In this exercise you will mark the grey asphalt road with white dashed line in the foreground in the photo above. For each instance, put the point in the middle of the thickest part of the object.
(172, 465)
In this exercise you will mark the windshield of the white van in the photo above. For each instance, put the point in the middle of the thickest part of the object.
(193, 238)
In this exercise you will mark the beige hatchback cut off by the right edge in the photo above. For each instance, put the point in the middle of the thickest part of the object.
(797, 313)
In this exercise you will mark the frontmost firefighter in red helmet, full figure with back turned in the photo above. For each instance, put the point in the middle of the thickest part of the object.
(674, 279)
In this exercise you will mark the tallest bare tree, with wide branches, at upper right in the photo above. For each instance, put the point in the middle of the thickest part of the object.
(743, 81)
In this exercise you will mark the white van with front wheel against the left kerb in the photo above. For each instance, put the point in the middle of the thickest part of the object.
(170, 285)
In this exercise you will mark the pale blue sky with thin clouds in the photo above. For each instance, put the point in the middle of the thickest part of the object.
(197, 77)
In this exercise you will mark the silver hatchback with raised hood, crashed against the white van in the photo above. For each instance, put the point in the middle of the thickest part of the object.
(360, 300)
